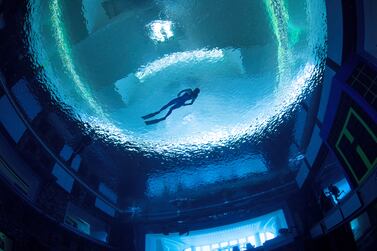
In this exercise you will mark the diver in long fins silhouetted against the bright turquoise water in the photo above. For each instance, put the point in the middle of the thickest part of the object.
(182, 97)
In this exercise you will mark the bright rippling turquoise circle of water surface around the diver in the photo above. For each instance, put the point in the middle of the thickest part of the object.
(110, 63)
